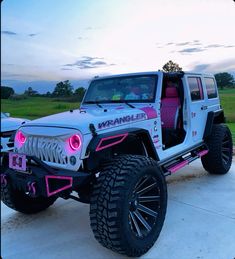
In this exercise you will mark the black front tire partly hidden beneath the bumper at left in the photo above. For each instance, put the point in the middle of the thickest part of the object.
(19, 201)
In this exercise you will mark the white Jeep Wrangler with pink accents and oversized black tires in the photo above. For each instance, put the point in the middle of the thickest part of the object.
(130, 132)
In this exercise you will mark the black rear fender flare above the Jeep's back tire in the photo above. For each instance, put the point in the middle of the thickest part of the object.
(213, 117)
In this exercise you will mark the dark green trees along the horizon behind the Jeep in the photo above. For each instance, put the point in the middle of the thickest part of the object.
(64, 89)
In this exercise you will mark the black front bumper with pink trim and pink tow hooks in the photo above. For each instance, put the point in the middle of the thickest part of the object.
(43, 180)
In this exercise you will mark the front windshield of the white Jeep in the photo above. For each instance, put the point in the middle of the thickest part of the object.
(122, 90)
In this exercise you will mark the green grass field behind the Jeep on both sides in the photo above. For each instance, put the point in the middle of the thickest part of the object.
(36, 107)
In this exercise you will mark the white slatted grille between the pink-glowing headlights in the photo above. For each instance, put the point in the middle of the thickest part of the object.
(46, 149)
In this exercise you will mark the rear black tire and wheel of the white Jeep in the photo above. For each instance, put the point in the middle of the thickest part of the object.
(219, 158)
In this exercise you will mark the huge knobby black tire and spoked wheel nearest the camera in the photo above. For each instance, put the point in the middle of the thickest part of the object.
(117, 198)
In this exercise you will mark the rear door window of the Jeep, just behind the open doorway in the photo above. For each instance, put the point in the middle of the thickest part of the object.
(195, 87)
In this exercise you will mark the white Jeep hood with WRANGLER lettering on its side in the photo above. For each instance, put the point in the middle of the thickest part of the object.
(101, 118)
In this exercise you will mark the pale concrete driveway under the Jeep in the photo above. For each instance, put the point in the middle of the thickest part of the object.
(200, 223)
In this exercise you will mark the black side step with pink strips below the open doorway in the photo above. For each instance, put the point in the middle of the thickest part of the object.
(179, 162)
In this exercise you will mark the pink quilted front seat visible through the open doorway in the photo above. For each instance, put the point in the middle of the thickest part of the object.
(170, 108)
